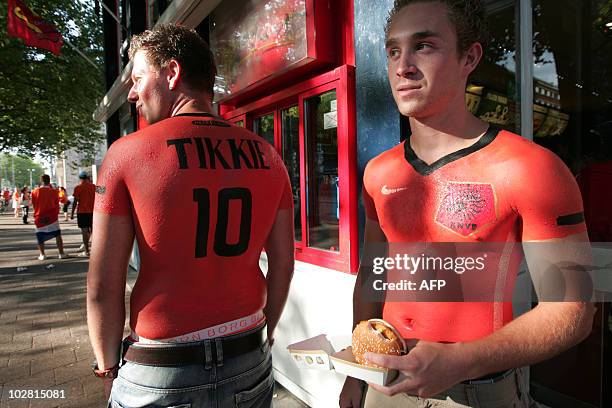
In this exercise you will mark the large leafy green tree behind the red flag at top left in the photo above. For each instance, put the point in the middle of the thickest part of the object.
(47, 101)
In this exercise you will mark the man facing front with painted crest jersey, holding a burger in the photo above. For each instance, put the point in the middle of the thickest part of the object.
(458, 182)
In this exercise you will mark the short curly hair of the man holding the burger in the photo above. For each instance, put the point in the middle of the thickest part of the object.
(467, 16)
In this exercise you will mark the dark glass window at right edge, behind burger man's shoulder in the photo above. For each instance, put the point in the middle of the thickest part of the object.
(573, 59)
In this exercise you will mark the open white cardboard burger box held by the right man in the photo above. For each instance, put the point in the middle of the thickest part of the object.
(320, 353)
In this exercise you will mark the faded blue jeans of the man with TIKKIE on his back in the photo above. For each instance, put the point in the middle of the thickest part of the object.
(241, 381)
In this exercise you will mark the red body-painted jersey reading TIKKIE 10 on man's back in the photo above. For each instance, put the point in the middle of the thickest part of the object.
(203, 195)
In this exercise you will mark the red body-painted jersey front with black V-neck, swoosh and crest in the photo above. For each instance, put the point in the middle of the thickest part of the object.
(503, 189)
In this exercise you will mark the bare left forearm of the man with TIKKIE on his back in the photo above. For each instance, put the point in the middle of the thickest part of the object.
(111, 246)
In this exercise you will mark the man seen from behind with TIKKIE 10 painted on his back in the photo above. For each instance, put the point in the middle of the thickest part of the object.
(201, 309)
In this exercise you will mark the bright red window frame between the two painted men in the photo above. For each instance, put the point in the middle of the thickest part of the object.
(342, 79)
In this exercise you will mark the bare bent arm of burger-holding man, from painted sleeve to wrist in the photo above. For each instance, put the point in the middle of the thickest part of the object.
(552, 326)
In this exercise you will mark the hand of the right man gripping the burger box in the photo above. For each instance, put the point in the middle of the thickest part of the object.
(429, 368)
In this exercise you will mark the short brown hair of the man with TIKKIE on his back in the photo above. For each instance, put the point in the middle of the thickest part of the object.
(170, 41)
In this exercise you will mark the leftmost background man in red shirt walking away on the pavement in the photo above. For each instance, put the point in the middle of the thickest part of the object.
(45, 200)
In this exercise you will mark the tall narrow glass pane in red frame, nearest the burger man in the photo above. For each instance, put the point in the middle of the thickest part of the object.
(321, 139)
